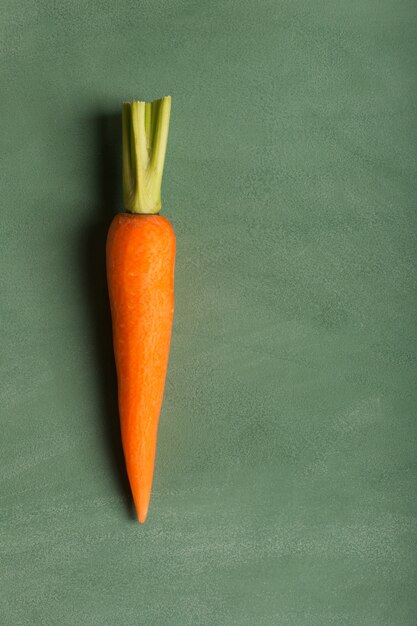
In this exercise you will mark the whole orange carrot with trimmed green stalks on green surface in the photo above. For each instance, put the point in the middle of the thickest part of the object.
(140, 256)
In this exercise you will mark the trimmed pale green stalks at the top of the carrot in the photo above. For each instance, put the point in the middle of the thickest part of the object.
(145, 136)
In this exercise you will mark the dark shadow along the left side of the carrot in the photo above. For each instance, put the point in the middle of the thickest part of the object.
(108, 192)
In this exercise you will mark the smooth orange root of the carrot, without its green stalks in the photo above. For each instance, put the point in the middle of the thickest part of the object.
(140, 257)
